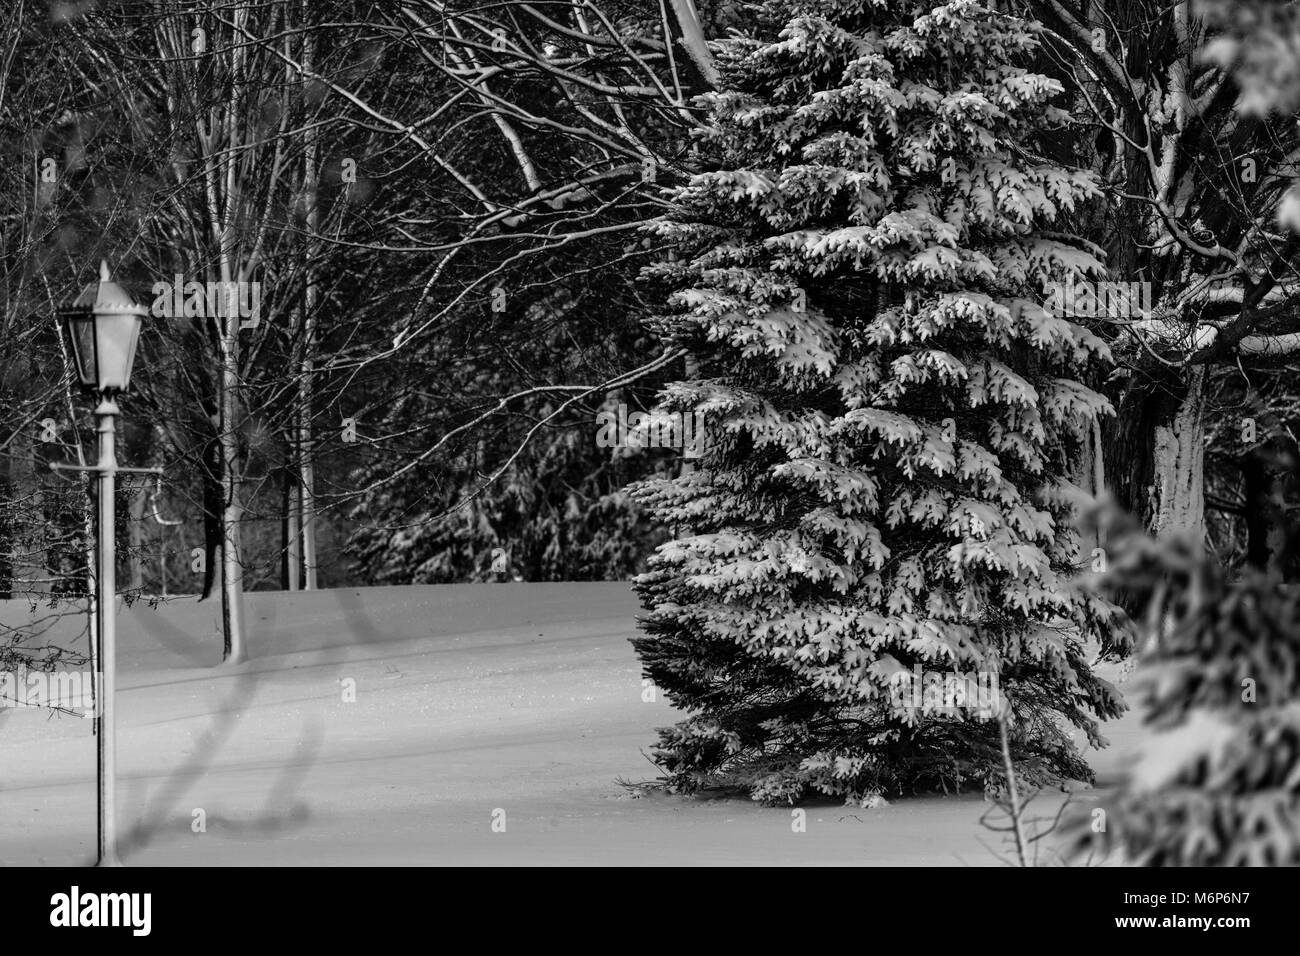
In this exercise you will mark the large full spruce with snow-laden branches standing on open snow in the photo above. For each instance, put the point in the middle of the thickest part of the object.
(890, 413)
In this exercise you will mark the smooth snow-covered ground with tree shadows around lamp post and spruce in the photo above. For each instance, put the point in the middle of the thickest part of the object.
(470, 702)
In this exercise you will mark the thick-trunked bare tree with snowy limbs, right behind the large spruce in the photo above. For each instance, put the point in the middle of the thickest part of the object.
(1194, 188)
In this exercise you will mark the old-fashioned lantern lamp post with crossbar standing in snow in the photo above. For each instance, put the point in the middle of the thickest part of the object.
(103, 327)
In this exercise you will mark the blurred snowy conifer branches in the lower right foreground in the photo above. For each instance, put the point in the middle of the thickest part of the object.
(1217, 778)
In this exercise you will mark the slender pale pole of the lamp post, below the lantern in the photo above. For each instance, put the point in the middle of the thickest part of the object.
(106, 624)
